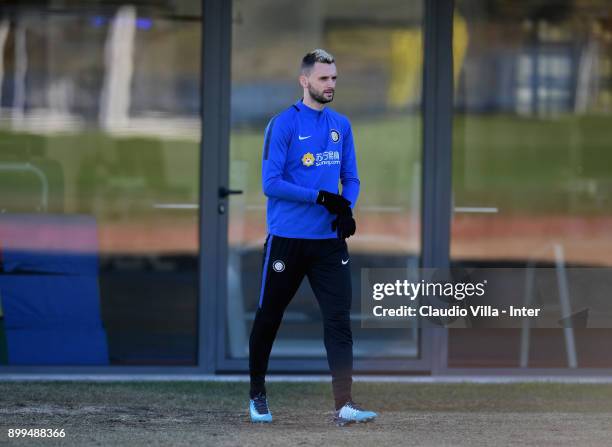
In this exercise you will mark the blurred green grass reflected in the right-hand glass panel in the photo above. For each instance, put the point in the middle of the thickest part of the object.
(527, 165)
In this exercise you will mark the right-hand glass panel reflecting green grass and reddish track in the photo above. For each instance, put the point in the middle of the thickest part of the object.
(531, 163)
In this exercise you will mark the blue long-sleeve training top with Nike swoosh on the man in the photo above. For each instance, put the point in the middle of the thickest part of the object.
(306, 150)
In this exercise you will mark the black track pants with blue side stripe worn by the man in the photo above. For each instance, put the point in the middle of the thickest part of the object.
(326, 264)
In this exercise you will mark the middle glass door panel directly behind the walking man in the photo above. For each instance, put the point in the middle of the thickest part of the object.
(379, 59)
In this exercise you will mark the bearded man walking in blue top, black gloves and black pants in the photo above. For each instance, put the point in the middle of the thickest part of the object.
(308, 149)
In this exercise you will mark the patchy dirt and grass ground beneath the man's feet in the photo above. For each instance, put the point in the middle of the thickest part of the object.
(215, 414)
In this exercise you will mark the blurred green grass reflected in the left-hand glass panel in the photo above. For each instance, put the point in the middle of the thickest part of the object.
(99, 174)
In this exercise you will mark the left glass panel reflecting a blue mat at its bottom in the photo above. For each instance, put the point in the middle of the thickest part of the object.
(99, 155)
